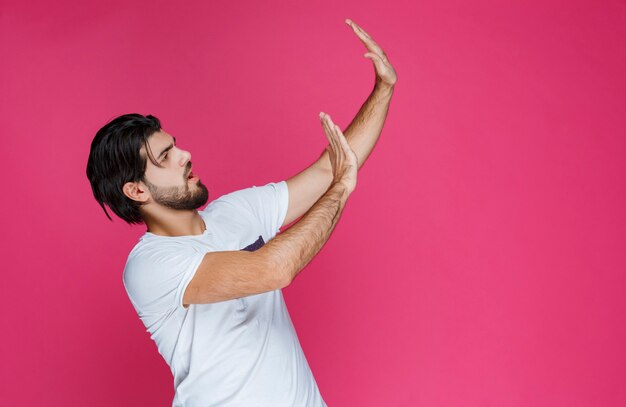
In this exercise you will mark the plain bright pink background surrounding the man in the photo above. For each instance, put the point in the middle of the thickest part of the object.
(480, 261)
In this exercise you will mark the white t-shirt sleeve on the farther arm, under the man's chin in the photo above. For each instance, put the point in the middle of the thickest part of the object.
(267, 204)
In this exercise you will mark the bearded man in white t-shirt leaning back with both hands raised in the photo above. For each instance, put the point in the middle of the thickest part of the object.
(207, 285)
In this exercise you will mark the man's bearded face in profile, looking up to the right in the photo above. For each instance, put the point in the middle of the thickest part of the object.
(172, 186)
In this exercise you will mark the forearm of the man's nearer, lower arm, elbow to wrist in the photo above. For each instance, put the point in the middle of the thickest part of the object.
(291, 250)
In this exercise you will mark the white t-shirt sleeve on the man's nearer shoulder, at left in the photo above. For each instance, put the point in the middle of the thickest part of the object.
(157, 274)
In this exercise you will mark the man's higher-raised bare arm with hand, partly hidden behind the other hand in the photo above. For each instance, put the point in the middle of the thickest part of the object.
(306, 187)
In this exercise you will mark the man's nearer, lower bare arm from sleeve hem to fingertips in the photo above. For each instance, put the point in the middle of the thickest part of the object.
(233, 274)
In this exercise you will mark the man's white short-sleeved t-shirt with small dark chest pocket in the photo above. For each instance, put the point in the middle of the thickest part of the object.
(239, 352)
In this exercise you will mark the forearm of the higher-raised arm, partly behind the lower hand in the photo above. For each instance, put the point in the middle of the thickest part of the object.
(364, 130)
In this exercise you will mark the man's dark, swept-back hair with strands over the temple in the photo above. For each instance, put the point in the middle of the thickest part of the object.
(115, 158)
